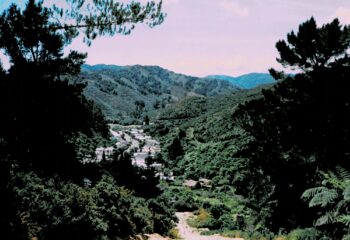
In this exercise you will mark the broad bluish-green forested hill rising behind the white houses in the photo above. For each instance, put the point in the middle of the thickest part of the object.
(116, 89)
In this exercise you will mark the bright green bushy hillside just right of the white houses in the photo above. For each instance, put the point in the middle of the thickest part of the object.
(202, 124)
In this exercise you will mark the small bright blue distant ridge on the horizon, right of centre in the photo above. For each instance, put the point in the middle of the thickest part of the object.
(247, 81)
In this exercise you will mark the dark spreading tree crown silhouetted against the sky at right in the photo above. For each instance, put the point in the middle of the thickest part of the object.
(314, 47)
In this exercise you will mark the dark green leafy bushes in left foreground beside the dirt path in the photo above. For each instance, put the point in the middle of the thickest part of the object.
(52, 209)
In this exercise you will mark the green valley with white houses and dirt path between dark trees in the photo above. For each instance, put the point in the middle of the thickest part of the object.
(182, 145)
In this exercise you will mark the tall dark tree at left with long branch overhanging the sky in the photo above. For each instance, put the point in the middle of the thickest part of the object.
(36, 94)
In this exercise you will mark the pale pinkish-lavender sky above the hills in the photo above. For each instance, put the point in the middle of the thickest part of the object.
(205, 37)
